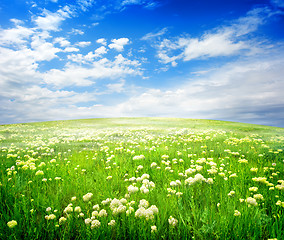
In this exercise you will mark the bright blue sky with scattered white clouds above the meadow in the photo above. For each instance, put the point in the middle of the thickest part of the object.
(201, 59)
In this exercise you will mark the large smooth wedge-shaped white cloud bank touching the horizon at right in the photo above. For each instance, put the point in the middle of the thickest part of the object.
(247, 91)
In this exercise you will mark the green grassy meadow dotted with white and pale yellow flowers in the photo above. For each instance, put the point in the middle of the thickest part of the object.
(141, 179)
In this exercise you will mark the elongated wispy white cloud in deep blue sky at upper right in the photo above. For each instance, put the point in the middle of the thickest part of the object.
(223, 41)
